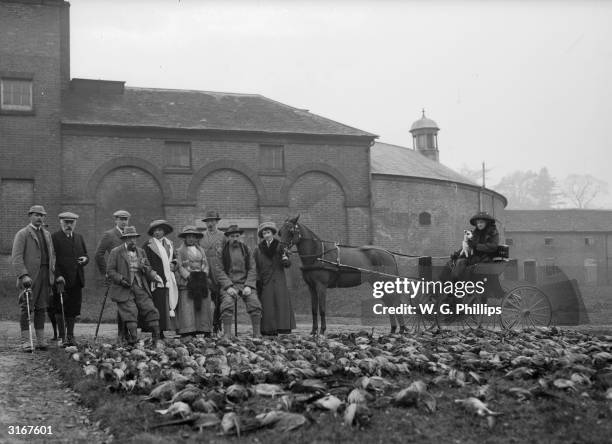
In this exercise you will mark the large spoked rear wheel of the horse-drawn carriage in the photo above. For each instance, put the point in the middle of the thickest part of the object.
(525, 306)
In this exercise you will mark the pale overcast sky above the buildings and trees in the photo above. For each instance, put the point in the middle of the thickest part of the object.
(519, 85)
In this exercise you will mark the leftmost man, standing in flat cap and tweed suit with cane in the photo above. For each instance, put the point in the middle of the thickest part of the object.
(33, 262)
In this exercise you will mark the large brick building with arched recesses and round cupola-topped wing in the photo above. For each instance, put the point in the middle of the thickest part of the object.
(94, 146)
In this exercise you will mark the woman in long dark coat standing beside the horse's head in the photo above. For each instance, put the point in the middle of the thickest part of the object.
(271, 261)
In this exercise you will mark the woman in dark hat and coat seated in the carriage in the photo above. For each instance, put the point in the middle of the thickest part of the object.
(484, 242)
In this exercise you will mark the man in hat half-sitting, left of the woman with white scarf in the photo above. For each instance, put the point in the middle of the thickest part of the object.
(131, 274)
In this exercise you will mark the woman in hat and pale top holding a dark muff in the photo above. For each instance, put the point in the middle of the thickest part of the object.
(194, 310)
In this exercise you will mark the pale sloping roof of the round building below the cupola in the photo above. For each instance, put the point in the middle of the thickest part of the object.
(402, 161)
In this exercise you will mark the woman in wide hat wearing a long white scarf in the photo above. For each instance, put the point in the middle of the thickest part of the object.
(162, 257)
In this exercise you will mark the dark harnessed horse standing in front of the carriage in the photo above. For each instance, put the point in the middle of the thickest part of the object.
(326, 265)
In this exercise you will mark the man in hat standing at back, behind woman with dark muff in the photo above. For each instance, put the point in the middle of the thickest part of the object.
(213, 242)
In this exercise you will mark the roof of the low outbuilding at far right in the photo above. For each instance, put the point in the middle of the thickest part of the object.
(559, 220)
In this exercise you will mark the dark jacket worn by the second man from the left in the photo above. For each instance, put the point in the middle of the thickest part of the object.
(67, 251)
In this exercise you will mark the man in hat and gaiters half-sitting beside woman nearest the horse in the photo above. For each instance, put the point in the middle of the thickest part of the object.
(236, 273)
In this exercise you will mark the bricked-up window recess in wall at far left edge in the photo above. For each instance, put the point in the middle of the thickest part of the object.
(17, 196)
